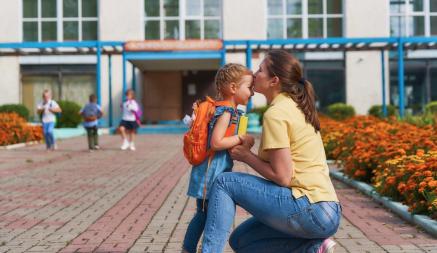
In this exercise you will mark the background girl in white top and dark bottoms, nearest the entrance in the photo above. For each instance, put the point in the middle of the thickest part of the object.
(130, 121)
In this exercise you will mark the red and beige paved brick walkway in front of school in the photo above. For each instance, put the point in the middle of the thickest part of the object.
(71, 200)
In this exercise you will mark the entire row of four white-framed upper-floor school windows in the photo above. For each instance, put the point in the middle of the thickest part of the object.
(76, 20)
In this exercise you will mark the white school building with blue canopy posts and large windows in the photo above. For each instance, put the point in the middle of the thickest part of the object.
(169, 50)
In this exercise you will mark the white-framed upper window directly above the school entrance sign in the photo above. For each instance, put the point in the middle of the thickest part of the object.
(182, 19)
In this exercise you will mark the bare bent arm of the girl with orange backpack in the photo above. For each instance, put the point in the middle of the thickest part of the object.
(218, 139)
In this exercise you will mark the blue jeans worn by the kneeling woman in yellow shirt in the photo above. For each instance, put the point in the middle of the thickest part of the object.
(281, 223)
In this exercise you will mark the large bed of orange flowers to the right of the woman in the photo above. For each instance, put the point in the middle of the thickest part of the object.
(377, 151)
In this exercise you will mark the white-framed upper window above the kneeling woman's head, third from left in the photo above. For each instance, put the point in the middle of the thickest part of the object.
(304, 18)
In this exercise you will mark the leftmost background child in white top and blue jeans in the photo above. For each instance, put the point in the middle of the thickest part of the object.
(47, 109)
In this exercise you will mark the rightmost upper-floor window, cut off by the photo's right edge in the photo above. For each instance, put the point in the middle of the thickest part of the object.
(413, 17)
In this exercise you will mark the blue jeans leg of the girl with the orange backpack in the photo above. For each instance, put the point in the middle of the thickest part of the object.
(195, 228)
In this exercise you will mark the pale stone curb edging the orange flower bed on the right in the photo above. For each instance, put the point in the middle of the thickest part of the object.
(422, 221)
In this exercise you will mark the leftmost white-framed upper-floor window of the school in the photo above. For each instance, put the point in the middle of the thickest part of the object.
(60, 20)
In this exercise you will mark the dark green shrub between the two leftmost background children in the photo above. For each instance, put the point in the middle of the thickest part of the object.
(69, 117)
